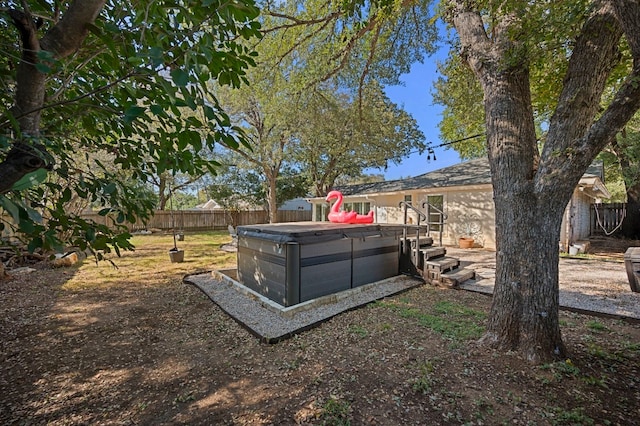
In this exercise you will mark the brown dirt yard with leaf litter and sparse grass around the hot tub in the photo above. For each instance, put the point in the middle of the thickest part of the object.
(91, 344)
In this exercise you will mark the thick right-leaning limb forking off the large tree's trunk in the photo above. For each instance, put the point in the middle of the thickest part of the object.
(572, 131)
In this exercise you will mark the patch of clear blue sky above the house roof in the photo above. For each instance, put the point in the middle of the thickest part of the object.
(415, 97)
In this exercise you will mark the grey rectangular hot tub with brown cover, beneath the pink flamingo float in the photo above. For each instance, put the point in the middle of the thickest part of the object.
(291, 263)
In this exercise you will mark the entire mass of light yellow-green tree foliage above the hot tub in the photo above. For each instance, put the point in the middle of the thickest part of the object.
(329, 117)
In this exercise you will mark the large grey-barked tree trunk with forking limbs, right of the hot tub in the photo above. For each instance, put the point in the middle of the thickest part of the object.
(531, 192)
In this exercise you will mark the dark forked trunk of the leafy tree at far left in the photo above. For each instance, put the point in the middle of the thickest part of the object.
(61, 40)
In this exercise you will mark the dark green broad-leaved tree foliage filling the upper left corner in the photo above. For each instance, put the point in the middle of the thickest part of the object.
(91, 84)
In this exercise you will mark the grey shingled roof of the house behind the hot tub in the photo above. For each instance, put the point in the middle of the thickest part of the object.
(473, 172)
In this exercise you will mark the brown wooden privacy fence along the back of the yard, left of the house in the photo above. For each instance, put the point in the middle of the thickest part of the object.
(189, 220)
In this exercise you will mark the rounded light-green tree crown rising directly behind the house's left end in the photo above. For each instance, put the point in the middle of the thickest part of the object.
(340, 136)
